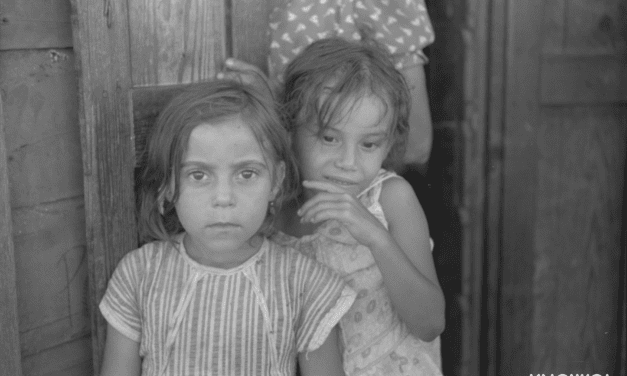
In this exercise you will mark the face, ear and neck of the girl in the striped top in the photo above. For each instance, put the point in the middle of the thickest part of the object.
(225, 185)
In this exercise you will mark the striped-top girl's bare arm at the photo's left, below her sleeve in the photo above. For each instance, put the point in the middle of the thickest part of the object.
(121, 355)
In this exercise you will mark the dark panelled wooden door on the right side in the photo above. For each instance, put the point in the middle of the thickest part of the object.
(556, 161)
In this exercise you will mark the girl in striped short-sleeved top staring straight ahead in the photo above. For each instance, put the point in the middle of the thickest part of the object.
(211, 295)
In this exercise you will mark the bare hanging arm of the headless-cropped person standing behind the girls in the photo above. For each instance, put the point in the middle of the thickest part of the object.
(420, 126)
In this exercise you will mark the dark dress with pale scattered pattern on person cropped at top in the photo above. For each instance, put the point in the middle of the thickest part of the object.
(402, 26)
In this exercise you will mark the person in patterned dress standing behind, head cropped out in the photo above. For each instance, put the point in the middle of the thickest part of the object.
(402, 26)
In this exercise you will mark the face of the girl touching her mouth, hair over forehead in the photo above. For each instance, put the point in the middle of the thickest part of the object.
(349, 152)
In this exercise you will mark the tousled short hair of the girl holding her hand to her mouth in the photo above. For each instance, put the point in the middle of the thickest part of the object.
(351, 70)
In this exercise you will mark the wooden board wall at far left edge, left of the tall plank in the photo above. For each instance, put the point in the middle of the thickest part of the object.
(38, 89)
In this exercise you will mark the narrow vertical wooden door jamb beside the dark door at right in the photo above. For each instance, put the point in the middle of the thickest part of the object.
(472, 212)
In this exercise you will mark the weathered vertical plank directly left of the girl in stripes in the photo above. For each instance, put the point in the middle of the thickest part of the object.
(101, 44)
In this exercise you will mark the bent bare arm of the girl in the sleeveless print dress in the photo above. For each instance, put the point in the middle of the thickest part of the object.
(406, 261)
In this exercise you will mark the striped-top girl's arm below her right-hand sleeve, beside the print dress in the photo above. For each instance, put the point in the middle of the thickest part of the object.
(325, 360)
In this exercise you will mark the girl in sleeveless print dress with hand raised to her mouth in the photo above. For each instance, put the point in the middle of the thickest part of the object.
(347, 109)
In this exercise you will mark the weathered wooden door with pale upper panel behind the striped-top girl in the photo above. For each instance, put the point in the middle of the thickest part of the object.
(126, 52)
